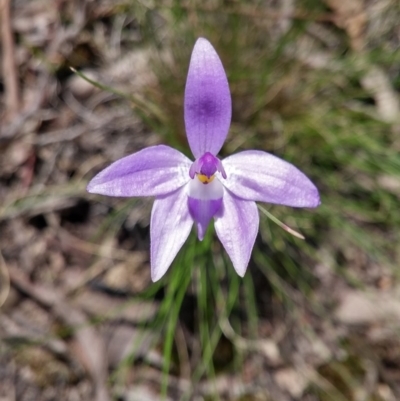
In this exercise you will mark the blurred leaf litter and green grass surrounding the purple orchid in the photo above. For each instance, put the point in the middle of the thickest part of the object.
(315, 82)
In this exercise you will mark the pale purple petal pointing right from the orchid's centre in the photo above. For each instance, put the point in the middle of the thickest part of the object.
(259, 176)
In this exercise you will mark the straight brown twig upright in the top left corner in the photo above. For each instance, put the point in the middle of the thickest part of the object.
(9, 66)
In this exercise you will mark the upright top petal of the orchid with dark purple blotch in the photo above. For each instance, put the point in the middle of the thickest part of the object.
(207, 101)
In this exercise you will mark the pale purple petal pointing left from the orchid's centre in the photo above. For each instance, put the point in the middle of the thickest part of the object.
(156, 170)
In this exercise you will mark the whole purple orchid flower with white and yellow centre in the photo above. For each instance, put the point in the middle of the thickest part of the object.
(189, 192)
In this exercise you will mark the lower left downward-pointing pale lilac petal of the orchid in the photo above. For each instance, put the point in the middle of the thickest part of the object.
(170, 226)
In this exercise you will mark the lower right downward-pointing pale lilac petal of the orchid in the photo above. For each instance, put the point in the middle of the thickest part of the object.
(236, 225)
